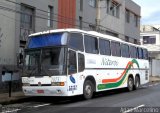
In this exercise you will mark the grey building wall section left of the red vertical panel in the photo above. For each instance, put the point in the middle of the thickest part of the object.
(19, 18)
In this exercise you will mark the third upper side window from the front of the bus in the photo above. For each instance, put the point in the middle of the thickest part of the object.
(104, 46)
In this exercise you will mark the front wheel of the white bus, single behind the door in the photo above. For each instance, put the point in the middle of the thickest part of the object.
(88, 89)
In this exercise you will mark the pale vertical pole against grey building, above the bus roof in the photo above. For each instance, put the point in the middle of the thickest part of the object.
(97, 14)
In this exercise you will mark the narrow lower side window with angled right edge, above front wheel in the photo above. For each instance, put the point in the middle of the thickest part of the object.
(81, 63)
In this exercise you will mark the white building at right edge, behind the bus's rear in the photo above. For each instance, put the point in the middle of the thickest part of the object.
(150, 38)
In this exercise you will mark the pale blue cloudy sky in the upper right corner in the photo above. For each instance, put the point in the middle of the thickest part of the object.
(150, 11)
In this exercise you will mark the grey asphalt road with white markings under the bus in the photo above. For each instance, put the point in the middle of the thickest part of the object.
(144, 100)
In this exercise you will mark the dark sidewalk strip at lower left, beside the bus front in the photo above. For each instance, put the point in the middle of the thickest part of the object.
(15, 96)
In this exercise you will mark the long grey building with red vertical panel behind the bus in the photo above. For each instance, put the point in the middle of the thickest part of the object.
(19, 18)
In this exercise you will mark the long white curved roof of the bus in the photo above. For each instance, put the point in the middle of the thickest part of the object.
(93, 33)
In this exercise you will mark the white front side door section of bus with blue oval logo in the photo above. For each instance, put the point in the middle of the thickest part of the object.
(75, 69)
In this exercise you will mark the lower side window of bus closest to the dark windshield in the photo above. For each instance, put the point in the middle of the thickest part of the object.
(72, 65)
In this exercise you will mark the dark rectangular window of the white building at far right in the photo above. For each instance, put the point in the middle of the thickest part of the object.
(149, 39)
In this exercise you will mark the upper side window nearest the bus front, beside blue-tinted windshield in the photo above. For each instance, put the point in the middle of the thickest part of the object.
(76, 41)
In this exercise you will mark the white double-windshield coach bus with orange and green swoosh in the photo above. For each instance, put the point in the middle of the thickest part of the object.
(70, 62)
